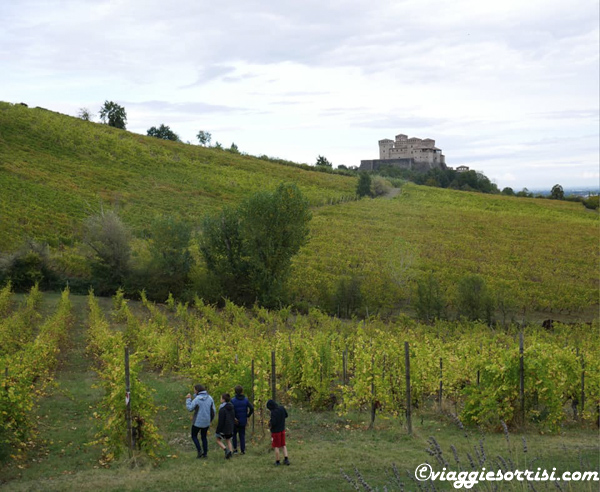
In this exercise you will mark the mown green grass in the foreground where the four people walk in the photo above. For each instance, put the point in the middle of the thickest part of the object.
(321, 444)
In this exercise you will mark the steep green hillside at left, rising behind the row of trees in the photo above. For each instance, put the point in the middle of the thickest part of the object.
(54, 169)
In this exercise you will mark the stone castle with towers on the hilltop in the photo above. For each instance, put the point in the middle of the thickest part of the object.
(407, 153)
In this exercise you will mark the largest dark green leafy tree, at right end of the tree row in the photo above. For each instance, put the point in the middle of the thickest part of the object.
(248, 250)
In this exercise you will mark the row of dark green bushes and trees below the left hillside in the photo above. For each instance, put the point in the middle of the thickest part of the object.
(242, 254)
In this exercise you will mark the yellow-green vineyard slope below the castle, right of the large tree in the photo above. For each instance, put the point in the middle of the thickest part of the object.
(537, 255)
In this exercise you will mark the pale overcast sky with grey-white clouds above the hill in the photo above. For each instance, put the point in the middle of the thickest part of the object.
(510, 87)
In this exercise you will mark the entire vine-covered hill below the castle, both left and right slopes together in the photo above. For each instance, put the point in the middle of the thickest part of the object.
(363, 256)
